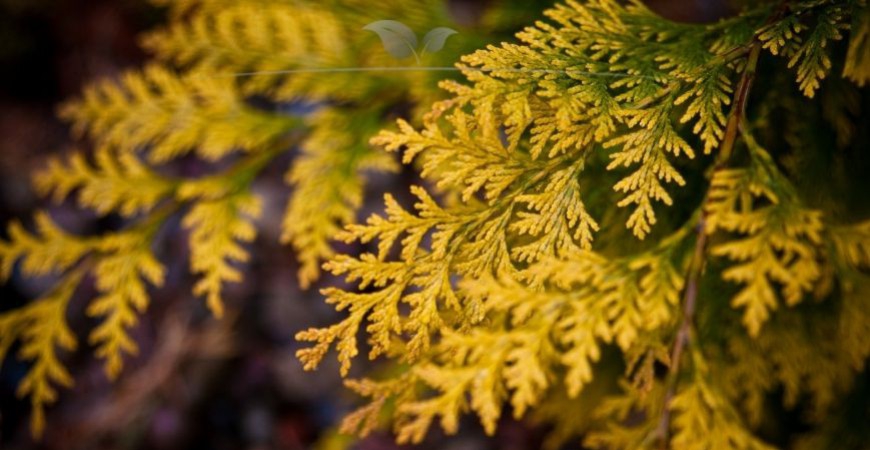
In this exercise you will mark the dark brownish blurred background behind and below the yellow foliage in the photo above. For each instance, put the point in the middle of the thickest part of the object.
(198, 382)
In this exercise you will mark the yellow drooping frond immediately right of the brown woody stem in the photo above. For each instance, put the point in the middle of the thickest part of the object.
(780, 242)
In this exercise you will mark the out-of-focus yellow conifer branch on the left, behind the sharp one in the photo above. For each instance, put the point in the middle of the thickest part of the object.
(230, 88)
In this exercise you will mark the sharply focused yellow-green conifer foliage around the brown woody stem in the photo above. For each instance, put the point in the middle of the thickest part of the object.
(514, 274)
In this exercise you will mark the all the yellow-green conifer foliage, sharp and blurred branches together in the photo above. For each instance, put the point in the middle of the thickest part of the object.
(618, 214)
